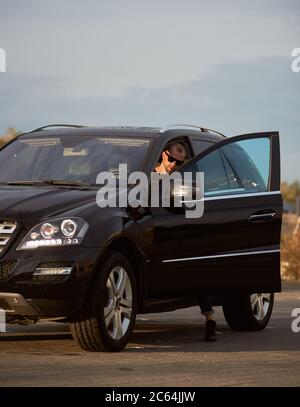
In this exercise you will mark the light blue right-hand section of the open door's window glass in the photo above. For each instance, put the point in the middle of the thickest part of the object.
(250, 160)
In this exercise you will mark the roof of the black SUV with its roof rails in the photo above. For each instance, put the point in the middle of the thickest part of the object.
(130, 131)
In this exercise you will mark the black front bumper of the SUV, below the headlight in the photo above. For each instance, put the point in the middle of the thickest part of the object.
(23, 294)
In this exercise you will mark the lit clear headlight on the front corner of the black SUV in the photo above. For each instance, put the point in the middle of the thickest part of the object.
(56, 232)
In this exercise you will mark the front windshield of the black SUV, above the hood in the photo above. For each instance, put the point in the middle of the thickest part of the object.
(69, 158)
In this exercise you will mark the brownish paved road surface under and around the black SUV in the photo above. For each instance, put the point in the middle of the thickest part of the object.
(165, 350)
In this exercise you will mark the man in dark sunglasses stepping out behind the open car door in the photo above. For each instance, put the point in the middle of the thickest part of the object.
(173, 157)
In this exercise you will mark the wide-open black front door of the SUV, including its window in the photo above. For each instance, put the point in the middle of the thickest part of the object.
(235, 246)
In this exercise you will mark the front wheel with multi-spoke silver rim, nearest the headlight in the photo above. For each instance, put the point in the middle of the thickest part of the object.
(108, 317)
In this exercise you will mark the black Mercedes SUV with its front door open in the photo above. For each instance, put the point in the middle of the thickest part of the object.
(63, 257)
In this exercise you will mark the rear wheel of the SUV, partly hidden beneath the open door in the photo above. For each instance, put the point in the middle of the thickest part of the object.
(249, 312)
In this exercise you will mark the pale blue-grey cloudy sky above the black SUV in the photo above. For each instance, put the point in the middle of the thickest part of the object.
(221, 64)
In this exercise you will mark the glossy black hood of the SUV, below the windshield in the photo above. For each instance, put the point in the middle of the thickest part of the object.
(27, 204)
